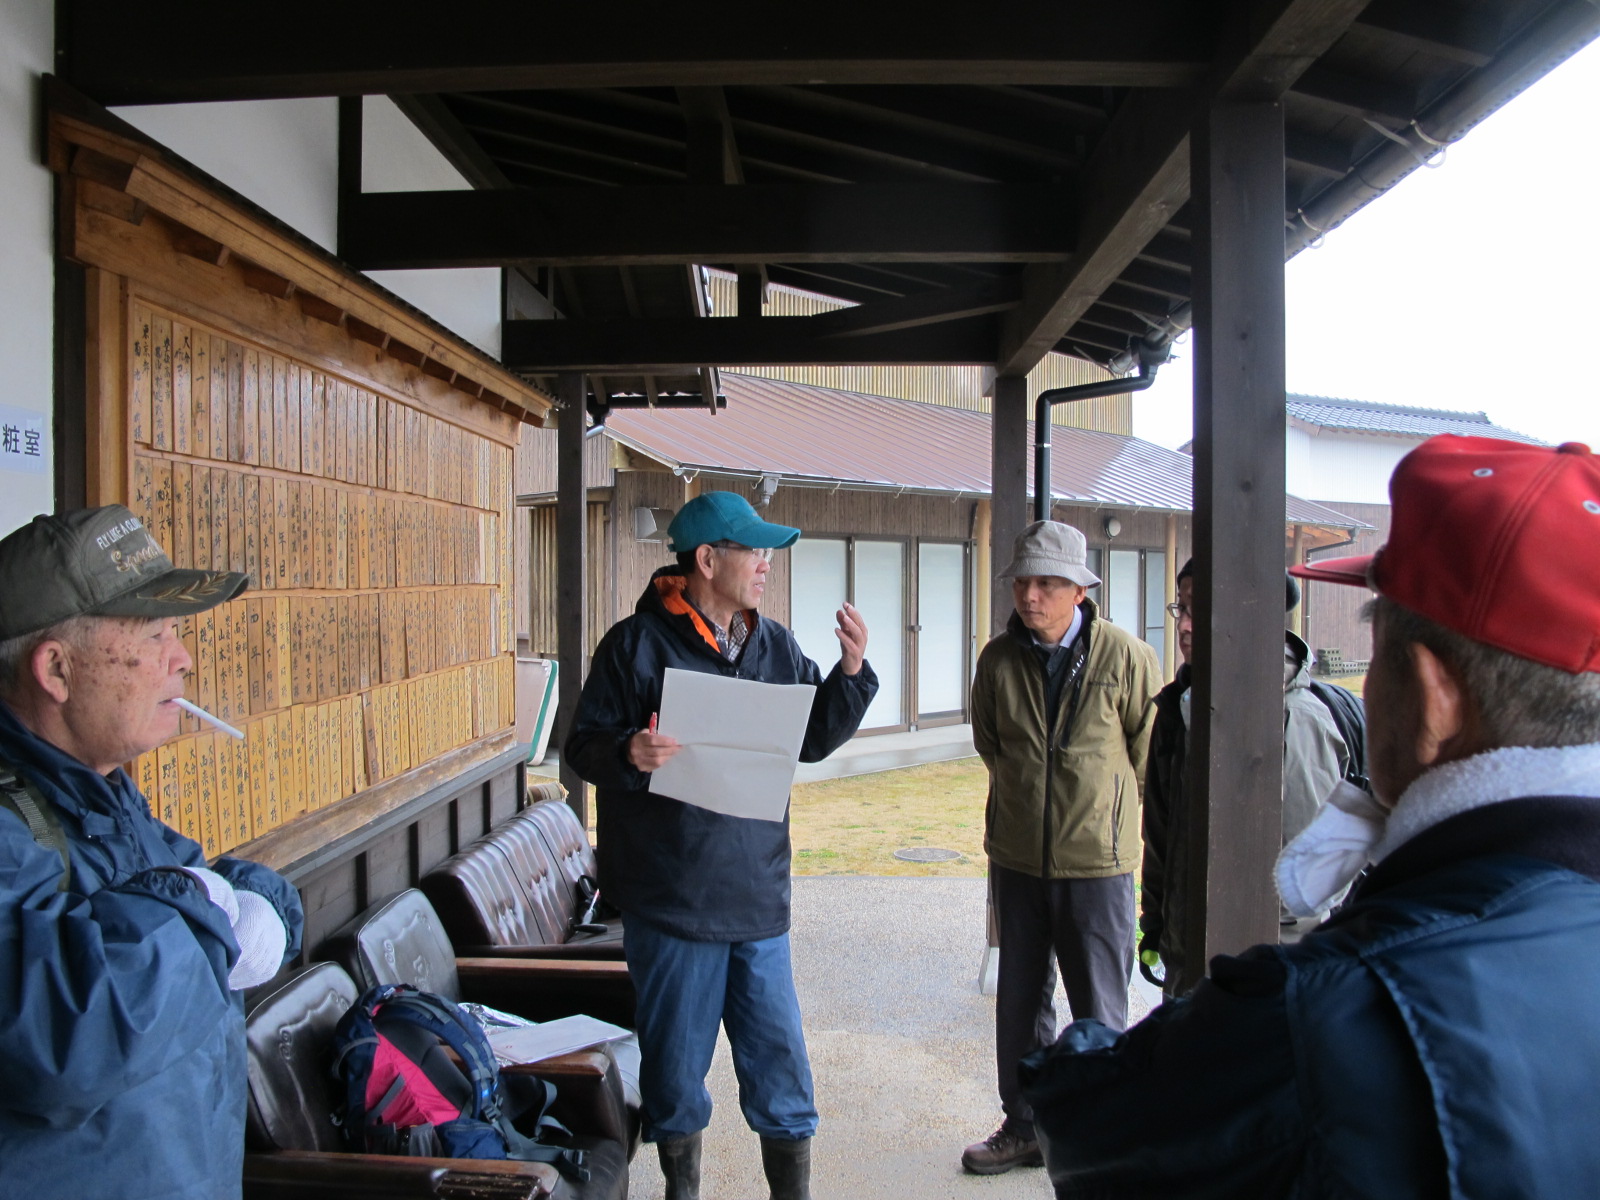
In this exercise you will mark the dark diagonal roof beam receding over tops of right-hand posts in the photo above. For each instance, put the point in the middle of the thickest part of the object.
(1143, 162)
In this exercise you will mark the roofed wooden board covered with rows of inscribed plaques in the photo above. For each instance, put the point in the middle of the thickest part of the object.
(265, 410)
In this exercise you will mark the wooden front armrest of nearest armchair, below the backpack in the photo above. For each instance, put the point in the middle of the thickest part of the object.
(313, 1175)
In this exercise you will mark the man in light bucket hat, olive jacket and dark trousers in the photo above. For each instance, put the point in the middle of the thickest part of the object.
(1062, 716)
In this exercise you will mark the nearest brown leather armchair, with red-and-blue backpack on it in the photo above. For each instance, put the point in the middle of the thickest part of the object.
(297, 1153)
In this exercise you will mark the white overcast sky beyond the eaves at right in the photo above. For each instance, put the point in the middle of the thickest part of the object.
(1468, 287)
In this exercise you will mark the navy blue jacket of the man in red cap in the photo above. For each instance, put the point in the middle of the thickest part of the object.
(1436, 1038)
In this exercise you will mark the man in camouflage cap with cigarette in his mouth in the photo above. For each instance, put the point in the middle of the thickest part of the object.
(122, 1031)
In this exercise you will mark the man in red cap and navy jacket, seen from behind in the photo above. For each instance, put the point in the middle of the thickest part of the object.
(1436, 1036)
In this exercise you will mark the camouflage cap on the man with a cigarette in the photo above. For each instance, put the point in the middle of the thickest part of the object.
(98, 562)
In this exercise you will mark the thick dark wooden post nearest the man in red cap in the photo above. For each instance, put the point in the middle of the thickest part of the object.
(1238, 735)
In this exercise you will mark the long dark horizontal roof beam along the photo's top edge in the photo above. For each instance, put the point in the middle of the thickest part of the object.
(118, 55)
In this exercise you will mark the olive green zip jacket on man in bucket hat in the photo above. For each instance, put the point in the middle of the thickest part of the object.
(1074, 812)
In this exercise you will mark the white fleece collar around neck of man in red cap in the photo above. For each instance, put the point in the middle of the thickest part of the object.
(1486, 780)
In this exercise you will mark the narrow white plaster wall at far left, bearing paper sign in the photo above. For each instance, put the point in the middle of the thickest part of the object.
(26, 258)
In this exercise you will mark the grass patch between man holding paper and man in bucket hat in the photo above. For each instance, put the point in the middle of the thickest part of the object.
(930, 806)
